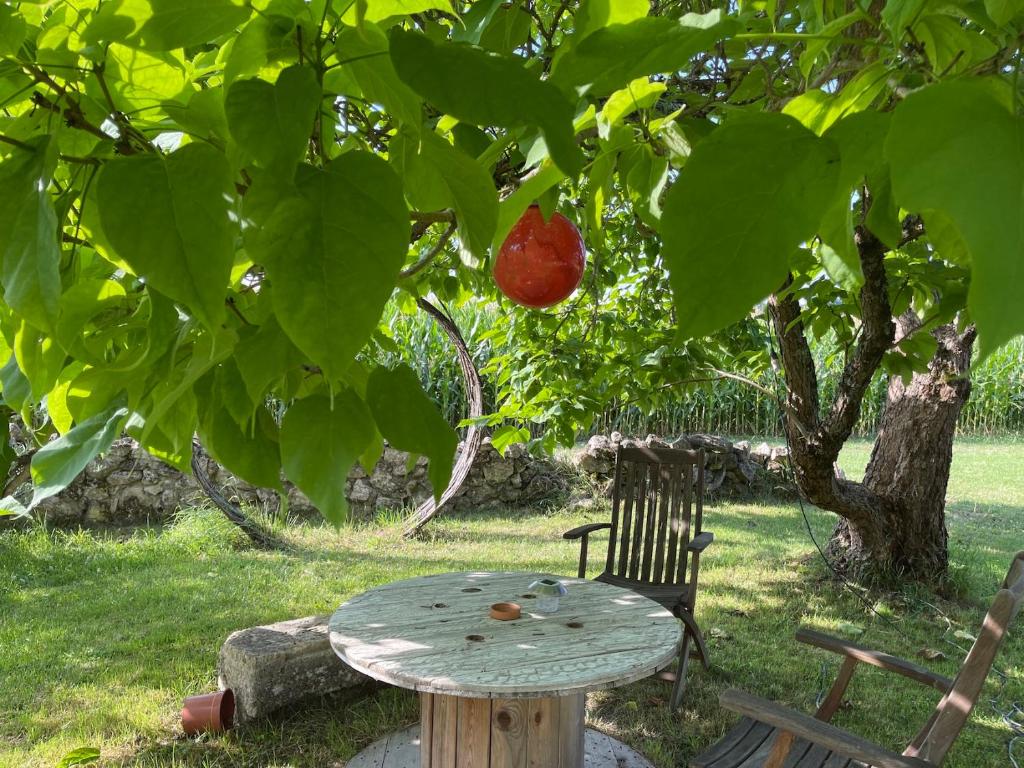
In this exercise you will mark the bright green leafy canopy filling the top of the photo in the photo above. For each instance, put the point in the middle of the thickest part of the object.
(206, 207)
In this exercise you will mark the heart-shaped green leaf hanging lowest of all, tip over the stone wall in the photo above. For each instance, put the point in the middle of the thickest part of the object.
(320, 443)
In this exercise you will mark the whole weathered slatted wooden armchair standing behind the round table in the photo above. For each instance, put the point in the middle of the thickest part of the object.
(655, 540)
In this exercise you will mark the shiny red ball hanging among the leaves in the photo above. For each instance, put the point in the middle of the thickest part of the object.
(541, 263)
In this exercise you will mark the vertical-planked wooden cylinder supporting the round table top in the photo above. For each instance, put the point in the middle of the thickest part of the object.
(459, 733)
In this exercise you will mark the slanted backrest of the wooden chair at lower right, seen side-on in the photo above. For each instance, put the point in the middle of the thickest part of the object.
(953, 712)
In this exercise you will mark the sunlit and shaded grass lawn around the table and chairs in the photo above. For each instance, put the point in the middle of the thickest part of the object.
(103, 635)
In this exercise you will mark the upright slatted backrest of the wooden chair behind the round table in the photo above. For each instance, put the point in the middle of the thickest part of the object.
(657, 508)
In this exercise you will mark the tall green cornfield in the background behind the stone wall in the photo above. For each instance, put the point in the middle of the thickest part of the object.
(728, 407)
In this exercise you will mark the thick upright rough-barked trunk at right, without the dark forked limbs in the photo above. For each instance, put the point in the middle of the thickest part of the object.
(906, 538)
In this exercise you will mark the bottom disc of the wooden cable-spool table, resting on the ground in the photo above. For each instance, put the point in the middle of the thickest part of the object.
(402, 750)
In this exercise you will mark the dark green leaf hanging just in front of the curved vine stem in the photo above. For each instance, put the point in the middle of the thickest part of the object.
(409, 421)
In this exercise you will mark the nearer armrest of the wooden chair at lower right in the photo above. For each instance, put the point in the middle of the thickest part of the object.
(803, 727)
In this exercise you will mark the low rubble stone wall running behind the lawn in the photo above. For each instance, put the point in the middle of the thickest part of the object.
(129, 487)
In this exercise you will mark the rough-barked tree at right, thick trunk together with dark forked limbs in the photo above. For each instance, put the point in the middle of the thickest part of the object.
(892, 525)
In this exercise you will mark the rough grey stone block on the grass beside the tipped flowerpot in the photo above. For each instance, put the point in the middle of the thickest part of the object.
(278, 665)
